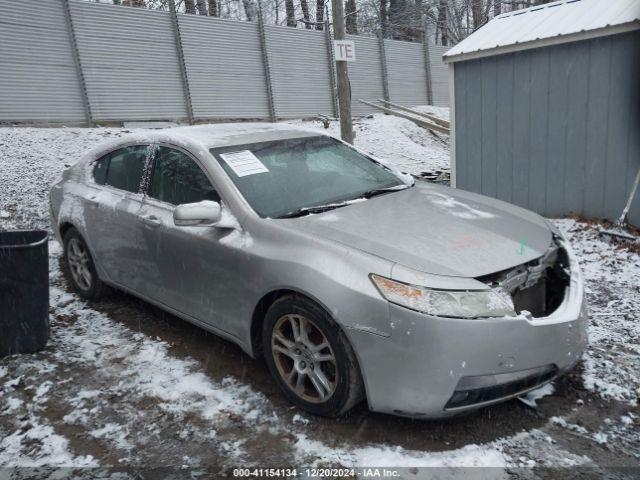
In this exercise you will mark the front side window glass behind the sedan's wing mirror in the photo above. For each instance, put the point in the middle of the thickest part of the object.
(178, 179)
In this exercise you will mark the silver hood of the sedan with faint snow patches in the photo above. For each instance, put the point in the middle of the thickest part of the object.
(436, 230)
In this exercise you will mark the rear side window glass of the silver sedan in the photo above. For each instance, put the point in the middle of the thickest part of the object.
(123, 168)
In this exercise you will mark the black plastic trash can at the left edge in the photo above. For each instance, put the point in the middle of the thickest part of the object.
(24, 291)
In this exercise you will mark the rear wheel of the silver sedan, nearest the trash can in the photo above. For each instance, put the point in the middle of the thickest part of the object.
(79, 267)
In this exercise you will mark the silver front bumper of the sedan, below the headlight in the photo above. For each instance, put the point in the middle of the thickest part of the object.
(434, 367)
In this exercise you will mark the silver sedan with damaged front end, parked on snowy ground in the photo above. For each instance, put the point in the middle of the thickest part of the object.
(348, 278)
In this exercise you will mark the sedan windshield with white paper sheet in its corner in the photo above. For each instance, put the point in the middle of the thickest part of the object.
(293, 177)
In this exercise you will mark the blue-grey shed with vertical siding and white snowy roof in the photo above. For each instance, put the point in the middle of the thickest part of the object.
(546, 108)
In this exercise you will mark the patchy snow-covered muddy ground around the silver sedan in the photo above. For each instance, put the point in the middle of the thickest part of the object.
(122, 384)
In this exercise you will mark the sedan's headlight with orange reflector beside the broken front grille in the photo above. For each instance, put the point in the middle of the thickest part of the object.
(446, 303)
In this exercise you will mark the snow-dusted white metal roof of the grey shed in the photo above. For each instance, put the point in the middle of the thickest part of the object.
(556, 22)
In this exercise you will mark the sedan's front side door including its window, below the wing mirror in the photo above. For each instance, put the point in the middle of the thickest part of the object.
(190, 264)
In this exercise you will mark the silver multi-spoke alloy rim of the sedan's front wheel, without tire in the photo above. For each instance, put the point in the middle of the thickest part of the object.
(304, 358)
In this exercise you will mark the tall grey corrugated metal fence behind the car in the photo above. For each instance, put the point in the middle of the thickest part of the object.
(70, 61)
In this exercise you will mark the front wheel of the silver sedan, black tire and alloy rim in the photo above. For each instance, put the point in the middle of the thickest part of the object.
(310, 357)
